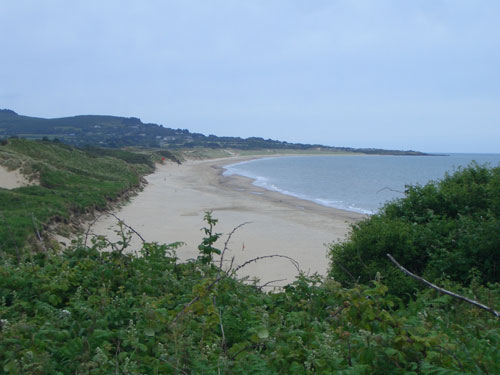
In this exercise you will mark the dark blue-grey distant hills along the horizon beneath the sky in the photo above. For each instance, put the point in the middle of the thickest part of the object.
(114, 132)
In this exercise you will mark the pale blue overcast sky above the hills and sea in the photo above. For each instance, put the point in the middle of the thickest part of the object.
(395, 74)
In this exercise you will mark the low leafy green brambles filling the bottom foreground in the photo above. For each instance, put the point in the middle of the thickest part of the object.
(86, 311)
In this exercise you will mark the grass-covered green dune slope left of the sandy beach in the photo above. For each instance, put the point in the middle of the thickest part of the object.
(71, 182)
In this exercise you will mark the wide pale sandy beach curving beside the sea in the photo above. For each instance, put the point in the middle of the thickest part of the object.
(172, 205)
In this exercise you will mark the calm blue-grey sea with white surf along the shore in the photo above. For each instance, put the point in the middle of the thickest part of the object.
(355, 183)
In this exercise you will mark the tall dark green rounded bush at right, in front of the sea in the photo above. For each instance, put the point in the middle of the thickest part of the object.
(448, 229)
